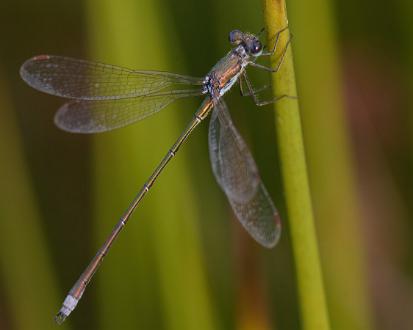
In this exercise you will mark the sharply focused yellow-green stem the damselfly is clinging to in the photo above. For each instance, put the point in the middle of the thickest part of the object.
(313, 307)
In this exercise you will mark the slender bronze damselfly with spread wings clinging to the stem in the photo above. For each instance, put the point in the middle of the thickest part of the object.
(104, 97)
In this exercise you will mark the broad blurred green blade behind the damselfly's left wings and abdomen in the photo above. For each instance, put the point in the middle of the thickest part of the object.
(153, 277)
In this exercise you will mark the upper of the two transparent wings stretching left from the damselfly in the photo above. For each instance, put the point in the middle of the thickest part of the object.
(85, 80)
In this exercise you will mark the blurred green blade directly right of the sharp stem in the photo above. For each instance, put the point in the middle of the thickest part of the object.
(330, 165)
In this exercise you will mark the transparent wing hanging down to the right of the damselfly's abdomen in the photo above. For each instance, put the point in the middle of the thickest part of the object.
(237, 174)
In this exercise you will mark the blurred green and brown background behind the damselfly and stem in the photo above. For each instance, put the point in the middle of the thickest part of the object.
(184, 262)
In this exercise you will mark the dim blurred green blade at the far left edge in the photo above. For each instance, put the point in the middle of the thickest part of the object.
(25, 265)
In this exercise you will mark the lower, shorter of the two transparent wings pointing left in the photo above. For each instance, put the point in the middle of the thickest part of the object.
(100, 116)
